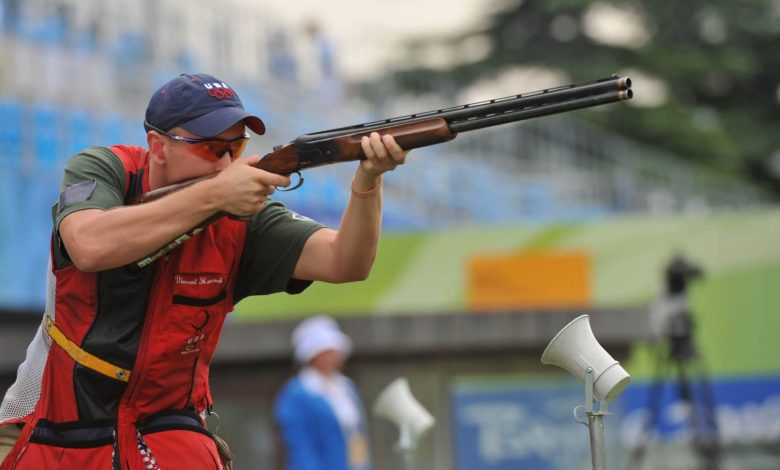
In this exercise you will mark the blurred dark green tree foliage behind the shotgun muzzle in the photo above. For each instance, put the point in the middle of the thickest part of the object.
(717, 59)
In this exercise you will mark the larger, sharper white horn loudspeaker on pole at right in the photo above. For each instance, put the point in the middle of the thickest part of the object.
(576, 349)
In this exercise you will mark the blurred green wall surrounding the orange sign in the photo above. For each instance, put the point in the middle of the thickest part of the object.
(736, 305)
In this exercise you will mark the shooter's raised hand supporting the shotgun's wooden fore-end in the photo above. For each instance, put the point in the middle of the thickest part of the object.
(382, 154)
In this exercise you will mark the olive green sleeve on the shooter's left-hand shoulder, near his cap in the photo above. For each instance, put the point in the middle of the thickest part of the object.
(93, 179)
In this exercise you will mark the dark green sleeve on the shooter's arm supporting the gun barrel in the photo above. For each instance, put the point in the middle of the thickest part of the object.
(274, 241)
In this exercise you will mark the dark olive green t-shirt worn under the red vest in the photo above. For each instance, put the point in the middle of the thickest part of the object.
(95, 179)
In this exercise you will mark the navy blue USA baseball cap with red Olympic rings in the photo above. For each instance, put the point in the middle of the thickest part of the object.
(199, 103)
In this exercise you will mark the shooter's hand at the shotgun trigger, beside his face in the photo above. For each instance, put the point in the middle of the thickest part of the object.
(241, 189)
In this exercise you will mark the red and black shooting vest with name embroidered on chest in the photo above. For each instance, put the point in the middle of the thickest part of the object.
(162, 323)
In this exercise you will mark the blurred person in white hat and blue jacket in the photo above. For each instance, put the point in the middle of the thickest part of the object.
(319, 411)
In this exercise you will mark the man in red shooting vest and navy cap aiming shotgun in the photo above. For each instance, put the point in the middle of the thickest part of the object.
(117, 374)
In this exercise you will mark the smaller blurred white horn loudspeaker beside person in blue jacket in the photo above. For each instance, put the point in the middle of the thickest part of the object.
(397, 404)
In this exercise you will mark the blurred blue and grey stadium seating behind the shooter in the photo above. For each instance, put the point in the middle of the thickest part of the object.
(72, 82)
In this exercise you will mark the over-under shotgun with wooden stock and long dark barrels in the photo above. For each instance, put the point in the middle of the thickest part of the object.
(413, 131)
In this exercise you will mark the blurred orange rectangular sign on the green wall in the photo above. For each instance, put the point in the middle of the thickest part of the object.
(530, 280)
